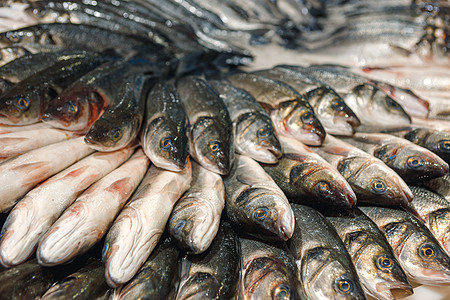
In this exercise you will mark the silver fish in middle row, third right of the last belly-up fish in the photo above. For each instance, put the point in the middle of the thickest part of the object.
(371, 180)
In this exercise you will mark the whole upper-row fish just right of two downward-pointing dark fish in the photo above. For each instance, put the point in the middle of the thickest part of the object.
(254, 133)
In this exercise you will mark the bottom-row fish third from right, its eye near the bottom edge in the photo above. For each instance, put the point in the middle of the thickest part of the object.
(323, 265)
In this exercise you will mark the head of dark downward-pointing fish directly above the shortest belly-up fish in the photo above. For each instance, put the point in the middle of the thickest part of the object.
(212, 145)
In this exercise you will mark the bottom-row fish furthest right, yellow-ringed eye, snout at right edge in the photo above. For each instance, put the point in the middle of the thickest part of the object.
(418, 252)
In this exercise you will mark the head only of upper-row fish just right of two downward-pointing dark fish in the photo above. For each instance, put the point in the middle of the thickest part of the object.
(255, 136)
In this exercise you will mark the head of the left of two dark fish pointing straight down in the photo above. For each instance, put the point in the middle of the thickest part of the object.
(166, 143)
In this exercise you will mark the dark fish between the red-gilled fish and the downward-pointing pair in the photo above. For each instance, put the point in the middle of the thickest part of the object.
(119, 125)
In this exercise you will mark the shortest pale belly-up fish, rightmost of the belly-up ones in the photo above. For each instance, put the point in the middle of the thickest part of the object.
(195, 219)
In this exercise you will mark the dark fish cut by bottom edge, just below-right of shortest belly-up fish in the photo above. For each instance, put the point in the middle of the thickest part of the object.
(214, 273)
